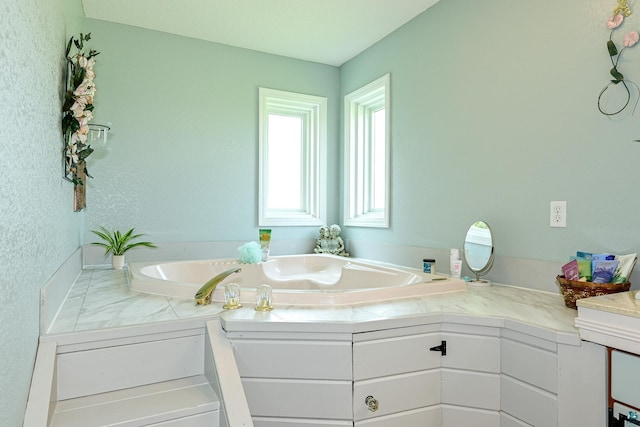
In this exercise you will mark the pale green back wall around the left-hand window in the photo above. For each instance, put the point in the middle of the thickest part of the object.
(182, 160)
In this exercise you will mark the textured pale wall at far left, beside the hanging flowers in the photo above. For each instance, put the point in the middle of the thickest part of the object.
(38, 229)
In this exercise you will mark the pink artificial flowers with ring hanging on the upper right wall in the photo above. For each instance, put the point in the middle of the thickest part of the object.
(628, 40)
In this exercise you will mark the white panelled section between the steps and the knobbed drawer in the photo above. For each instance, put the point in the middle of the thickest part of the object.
(295, 380)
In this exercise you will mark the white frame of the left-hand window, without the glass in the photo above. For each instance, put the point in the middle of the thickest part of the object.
(313, 111)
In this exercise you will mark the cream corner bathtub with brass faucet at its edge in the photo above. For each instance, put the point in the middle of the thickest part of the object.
(315, 279)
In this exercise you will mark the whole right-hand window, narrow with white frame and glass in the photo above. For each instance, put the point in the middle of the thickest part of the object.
(367, 150)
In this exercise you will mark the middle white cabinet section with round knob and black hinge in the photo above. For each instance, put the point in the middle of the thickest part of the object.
(399, 380)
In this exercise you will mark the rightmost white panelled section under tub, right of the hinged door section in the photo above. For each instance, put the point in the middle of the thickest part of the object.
(548, 384)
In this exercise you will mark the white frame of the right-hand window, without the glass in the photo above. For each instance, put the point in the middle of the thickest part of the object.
(358, 108)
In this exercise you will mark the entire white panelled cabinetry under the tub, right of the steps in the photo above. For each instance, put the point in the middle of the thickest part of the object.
(490, 376)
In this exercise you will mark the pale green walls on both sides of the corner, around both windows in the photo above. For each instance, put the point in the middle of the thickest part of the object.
(493, 116)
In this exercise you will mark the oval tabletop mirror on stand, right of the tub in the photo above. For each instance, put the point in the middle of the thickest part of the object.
(478, 250)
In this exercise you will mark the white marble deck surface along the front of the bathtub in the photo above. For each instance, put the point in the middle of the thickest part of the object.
(100, 298)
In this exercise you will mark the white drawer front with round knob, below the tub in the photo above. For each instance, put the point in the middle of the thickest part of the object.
(396, 393)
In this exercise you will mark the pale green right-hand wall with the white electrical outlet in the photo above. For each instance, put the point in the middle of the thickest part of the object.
(494, 115)
